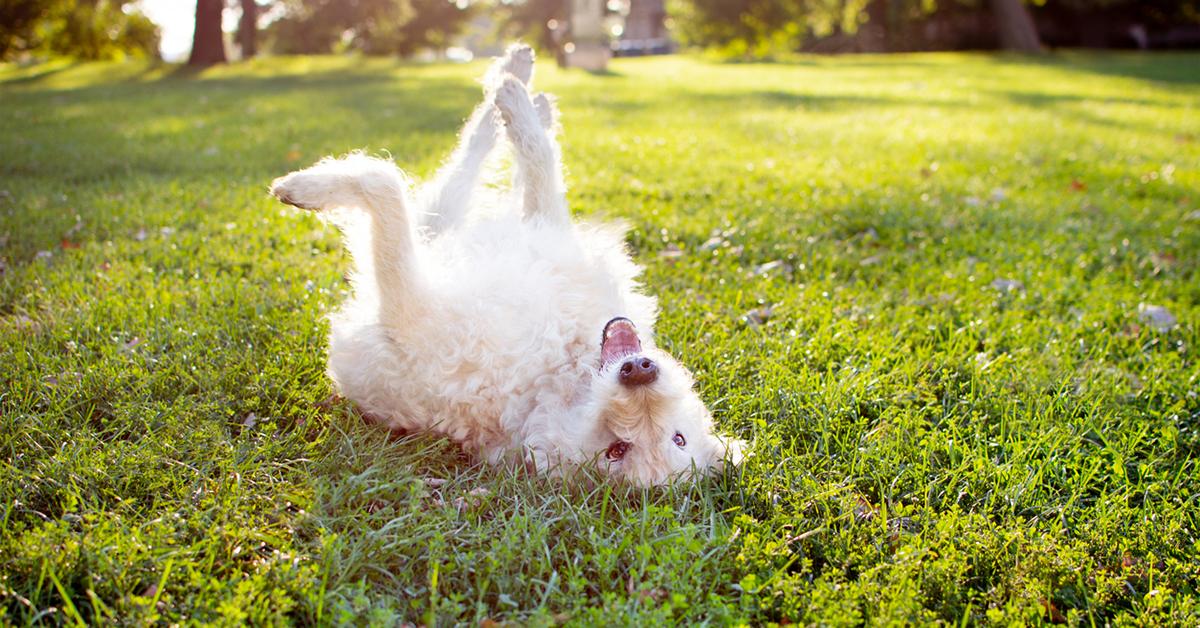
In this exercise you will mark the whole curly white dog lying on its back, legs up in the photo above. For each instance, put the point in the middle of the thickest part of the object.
(523, 337)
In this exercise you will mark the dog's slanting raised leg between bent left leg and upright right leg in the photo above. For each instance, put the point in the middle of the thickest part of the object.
(446, 199)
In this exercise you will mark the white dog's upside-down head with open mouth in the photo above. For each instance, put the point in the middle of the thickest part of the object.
(644, 403)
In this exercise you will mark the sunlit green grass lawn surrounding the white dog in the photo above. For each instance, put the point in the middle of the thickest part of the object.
(957, 412)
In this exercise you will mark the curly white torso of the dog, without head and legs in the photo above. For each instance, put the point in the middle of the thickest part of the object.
(511, 336)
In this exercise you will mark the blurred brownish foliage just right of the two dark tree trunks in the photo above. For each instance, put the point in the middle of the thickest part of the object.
(373, 27)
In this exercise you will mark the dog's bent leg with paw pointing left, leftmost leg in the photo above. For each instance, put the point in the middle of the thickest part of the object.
(385, 248)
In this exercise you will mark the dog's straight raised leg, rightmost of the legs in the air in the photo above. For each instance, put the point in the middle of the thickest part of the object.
(539, 169)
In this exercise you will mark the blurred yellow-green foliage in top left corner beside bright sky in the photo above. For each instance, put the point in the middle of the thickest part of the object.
(82, 29)
